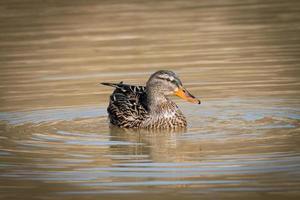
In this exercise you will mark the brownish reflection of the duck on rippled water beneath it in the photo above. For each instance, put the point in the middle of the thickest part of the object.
(157, 146)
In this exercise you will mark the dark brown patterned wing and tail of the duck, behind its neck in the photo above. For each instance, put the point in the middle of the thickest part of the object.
(127, 107)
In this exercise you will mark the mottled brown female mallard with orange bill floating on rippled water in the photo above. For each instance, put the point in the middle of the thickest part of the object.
(149, 107)
